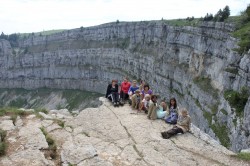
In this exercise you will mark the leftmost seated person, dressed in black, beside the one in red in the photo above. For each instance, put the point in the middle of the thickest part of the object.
(112, 93)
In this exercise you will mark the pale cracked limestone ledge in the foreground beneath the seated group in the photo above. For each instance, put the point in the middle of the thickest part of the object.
(105, 136)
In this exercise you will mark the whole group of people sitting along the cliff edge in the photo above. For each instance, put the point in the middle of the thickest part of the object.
(141, 98)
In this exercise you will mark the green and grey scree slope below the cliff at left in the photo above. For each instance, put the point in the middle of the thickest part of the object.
(22, 98)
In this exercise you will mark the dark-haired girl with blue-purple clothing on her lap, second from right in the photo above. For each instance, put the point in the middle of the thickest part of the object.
(173, 112)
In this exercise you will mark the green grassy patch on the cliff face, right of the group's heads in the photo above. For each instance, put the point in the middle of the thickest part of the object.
(205, 84)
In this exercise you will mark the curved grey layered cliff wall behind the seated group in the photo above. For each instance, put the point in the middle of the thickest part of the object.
(193, 64)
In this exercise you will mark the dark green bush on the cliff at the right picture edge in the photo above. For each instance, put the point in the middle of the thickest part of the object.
(237, 100)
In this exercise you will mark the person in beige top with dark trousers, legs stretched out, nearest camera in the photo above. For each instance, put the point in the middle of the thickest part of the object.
(183, 125)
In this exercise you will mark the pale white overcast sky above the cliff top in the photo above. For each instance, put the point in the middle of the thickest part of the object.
(20, 16)
